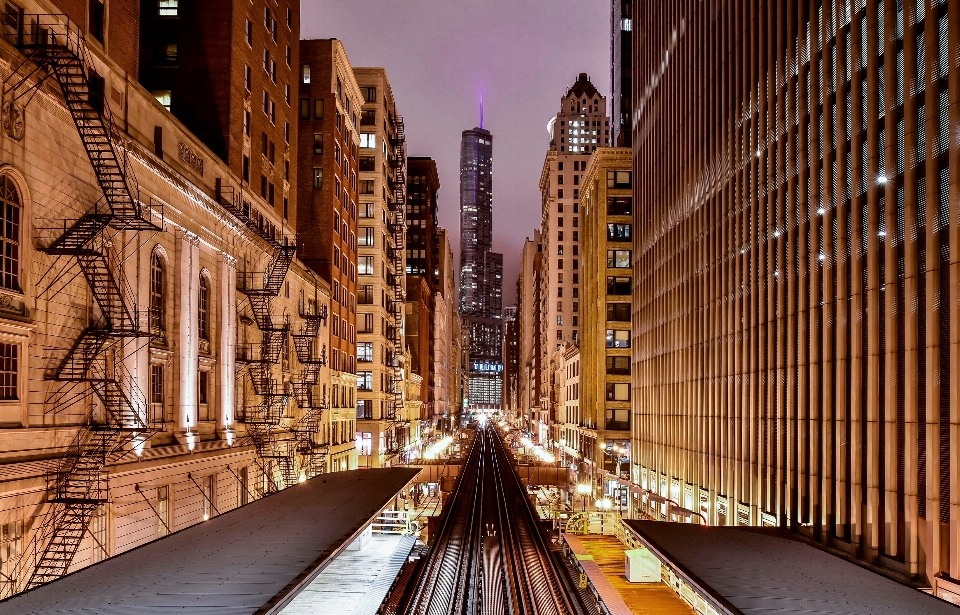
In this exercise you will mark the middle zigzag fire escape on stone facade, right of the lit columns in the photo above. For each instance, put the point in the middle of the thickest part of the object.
(264, 419)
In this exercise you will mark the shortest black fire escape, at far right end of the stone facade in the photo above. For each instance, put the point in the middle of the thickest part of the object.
(307, 430)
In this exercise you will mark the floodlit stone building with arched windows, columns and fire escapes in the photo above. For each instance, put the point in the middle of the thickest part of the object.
(146, 359)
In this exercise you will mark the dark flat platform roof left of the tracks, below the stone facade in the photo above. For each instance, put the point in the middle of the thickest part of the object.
(252, 560)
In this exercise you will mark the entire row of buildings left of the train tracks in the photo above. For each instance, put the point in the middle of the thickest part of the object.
(222, 274)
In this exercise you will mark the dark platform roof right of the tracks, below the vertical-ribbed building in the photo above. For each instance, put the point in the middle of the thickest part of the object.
(761, 571)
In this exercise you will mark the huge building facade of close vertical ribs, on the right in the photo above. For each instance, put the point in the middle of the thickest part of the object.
(797, 172)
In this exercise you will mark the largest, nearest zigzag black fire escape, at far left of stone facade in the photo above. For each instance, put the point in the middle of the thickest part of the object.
(53, 47)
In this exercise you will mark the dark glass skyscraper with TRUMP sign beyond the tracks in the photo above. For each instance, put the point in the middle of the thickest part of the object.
(481, 271)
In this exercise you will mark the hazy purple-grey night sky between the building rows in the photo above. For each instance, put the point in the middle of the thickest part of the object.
(440, 55)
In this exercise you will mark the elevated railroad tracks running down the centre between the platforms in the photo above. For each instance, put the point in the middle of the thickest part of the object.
(490, 555)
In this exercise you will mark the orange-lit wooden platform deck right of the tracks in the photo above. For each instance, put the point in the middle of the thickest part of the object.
(640, 598)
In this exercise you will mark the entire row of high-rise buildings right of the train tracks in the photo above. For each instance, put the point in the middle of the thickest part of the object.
(747, 313)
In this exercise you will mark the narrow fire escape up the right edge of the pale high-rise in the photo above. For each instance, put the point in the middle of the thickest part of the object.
(397, 162)
